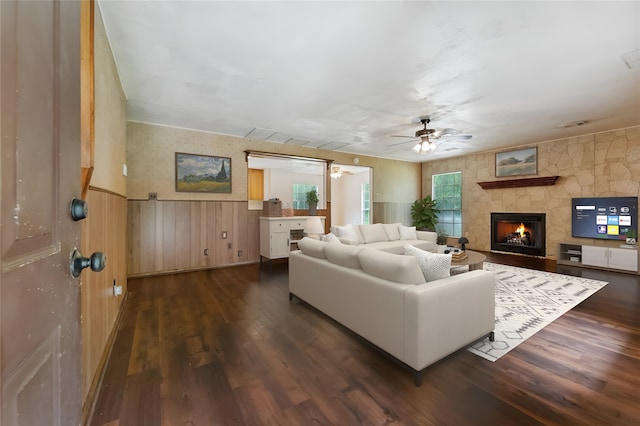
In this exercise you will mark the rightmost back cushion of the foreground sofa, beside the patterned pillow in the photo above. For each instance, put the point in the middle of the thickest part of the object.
(392, 267)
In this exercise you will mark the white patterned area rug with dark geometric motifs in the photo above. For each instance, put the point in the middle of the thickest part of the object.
(526, 302)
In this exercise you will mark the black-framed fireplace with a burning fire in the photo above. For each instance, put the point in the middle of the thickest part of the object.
(522, 233)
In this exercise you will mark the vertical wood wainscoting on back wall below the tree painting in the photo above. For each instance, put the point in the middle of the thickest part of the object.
(169, 236)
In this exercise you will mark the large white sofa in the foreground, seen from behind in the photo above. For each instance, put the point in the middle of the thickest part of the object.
(384, 298)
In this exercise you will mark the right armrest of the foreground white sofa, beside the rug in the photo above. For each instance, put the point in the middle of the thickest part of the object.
(446, 315)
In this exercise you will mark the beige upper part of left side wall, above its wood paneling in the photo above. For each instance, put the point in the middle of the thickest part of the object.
(110, 112)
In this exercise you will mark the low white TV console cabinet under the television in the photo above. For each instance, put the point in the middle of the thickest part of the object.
(623, 259)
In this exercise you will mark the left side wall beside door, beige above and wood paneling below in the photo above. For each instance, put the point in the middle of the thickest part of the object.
(105, 227)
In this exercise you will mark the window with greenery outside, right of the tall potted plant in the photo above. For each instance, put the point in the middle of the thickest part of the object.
(446, 190)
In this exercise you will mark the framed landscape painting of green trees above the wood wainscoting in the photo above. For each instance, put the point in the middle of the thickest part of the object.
(202, 173)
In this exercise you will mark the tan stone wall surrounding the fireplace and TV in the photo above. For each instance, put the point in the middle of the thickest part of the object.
(602, 164)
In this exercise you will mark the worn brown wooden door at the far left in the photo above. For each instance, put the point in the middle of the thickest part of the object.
(40, 129)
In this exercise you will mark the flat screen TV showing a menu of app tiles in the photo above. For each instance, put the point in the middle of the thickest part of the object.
(604, 217)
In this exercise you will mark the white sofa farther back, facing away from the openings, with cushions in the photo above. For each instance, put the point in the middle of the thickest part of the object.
(391, 237)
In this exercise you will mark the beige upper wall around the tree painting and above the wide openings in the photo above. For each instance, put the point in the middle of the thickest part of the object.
(151, 157)
